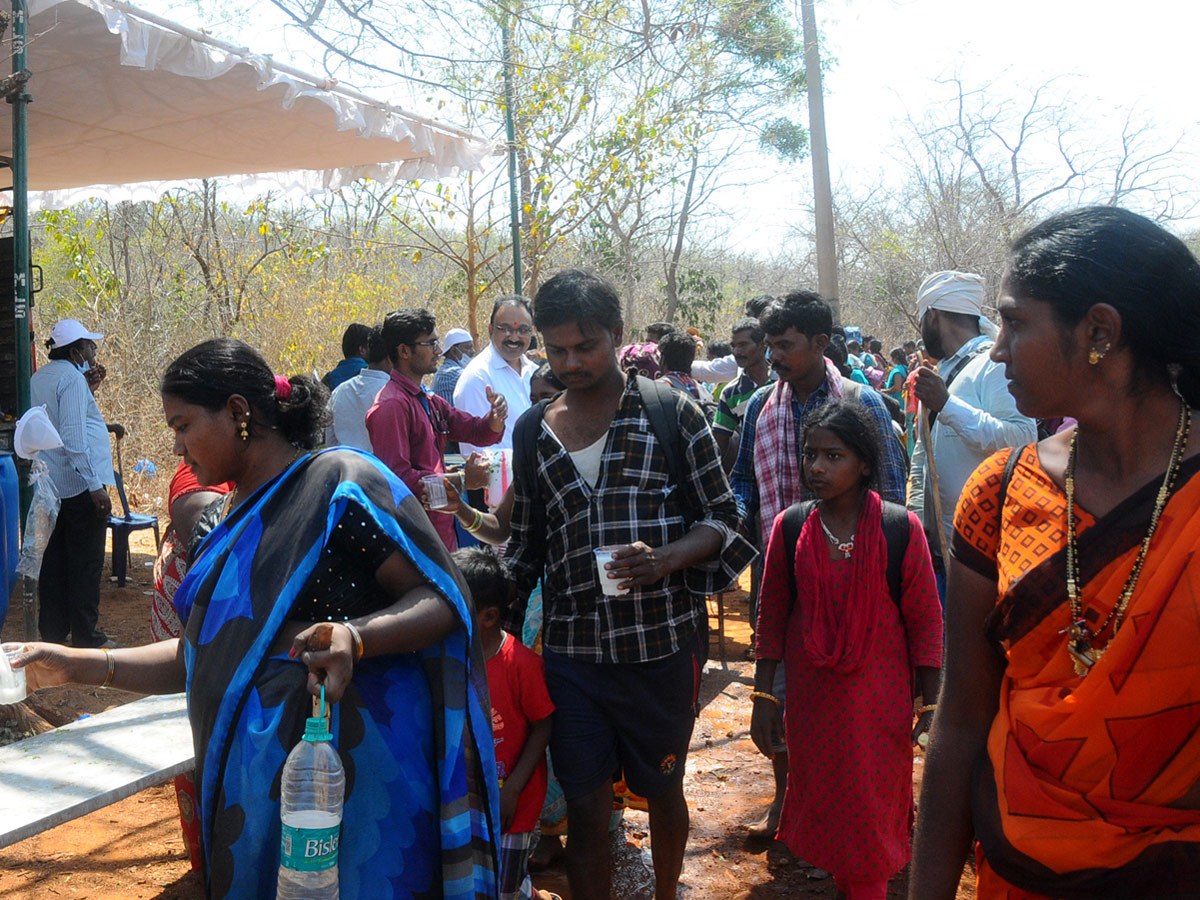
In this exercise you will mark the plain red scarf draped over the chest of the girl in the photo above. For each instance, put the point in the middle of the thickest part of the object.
(839, 628)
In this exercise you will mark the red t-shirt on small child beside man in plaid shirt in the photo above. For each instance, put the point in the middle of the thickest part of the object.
(517, 681)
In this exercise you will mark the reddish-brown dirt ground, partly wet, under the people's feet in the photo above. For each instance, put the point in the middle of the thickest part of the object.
(134, 850)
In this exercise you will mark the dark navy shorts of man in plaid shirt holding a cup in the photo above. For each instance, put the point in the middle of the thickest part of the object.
(632, 718)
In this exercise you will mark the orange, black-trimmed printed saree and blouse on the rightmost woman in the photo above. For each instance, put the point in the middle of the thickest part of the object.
(1088, 776)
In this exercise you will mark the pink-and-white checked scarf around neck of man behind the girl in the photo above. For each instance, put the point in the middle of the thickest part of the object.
(777, 457)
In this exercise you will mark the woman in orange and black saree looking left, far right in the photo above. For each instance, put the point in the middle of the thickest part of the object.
(1067, 737)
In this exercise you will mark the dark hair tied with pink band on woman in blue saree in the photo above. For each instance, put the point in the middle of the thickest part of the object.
(212, 373)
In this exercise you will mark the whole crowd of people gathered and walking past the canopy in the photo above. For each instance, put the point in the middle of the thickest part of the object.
(1022, 500)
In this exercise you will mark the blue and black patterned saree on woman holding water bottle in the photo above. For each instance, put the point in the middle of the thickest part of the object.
(421, 818)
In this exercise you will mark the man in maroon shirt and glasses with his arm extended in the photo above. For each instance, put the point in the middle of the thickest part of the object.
(409, 425)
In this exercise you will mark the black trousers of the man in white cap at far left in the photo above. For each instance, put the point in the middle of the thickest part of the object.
(69, 585)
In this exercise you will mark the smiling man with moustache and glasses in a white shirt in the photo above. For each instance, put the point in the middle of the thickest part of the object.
(502, 367)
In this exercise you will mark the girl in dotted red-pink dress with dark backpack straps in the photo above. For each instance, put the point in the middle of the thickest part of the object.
(855, 643)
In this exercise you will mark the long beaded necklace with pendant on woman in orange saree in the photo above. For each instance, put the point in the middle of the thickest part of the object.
(1079, 634)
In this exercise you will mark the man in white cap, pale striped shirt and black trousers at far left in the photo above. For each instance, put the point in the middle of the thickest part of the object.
(82, 470)
